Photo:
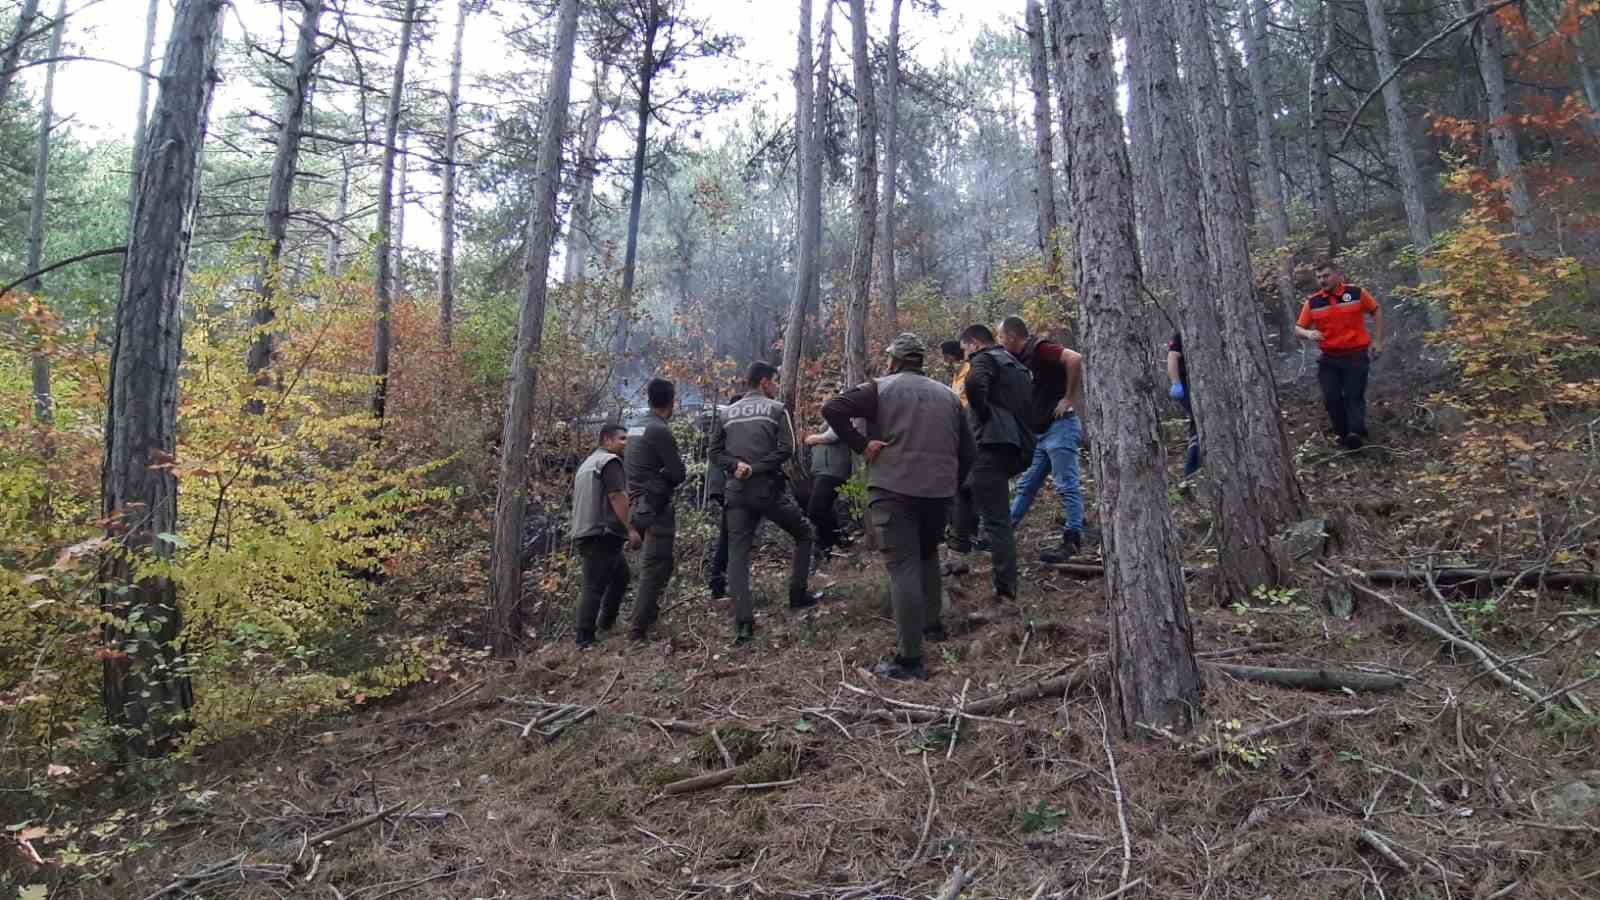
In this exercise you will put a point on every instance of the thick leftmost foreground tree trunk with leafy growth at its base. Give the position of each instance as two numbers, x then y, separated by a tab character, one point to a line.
145	683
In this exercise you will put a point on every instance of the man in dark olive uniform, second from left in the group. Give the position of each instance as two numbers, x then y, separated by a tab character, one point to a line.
655	470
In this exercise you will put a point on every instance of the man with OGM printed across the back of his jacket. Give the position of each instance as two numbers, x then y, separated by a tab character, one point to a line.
751	444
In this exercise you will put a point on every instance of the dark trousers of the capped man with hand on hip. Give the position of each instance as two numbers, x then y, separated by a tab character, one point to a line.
908	532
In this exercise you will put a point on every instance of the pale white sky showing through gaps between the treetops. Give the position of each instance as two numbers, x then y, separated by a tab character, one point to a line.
98	102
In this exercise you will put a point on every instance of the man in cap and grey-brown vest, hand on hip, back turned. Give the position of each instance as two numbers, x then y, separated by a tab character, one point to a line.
919	451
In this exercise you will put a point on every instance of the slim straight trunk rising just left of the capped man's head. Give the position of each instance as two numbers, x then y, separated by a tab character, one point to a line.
866	201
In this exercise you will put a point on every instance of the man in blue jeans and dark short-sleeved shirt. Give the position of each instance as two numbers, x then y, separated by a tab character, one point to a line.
1058	395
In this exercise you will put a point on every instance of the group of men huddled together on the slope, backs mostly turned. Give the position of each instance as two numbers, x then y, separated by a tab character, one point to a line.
929	448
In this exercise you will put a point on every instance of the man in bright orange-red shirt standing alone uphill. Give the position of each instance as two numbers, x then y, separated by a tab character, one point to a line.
1337	319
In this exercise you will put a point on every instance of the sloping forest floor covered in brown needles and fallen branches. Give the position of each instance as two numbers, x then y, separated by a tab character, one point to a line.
1449	787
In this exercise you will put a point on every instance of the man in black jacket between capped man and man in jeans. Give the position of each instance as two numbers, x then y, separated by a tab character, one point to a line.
999	400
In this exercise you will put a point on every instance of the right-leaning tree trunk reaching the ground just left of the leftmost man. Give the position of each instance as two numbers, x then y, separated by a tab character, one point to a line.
513	496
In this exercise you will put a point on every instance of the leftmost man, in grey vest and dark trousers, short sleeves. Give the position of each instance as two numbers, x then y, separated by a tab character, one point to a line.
599	528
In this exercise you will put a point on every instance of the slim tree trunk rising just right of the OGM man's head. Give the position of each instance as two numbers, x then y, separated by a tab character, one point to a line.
810	209
